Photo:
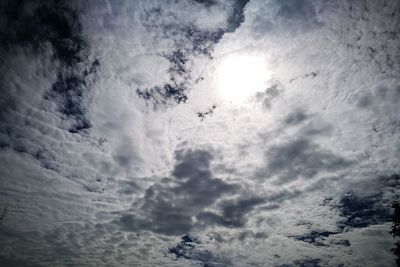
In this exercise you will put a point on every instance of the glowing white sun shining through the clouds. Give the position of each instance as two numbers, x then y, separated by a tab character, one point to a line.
240	76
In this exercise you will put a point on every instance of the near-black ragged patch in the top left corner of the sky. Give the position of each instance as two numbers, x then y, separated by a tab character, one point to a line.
53	25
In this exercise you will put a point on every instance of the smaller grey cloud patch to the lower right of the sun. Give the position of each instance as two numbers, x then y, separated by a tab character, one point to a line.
301	157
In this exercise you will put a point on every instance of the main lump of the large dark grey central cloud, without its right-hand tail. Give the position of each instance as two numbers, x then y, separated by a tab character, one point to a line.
170	206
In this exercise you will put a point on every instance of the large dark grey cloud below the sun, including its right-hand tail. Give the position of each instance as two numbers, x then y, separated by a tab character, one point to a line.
170	206
